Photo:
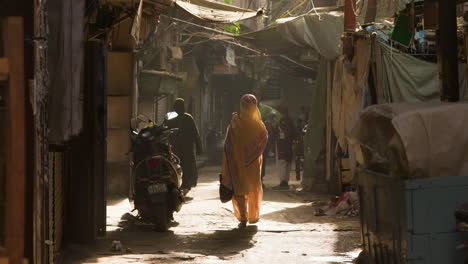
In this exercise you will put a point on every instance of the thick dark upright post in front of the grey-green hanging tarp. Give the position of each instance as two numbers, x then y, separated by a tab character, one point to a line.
448	53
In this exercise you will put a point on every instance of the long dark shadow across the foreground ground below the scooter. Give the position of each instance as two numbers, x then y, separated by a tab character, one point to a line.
221	243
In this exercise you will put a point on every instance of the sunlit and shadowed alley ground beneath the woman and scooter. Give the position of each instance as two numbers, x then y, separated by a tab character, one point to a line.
206	232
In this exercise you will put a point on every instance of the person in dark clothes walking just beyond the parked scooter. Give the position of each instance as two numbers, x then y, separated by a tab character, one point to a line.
185	144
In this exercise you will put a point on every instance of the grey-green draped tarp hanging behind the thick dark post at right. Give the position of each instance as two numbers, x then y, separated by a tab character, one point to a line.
404	78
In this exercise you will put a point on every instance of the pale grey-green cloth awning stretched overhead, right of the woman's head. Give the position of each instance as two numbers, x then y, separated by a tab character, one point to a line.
321	32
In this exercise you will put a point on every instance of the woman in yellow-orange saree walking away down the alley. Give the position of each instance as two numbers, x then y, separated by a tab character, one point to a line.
242	160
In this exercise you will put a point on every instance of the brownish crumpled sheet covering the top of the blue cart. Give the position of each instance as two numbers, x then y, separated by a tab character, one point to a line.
418	140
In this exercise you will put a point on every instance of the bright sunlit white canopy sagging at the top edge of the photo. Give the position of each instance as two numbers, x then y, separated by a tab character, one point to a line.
216	12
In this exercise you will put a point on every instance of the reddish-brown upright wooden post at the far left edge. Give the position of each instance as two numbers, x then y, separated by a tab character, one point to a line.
13	37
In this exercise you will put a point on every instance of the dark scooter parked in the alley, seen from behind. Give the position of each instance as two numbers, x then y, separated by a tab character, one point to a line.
156	175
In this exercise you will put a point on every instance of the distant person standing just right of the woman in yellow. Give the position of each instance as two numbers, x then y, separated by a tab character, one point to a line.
284	137
